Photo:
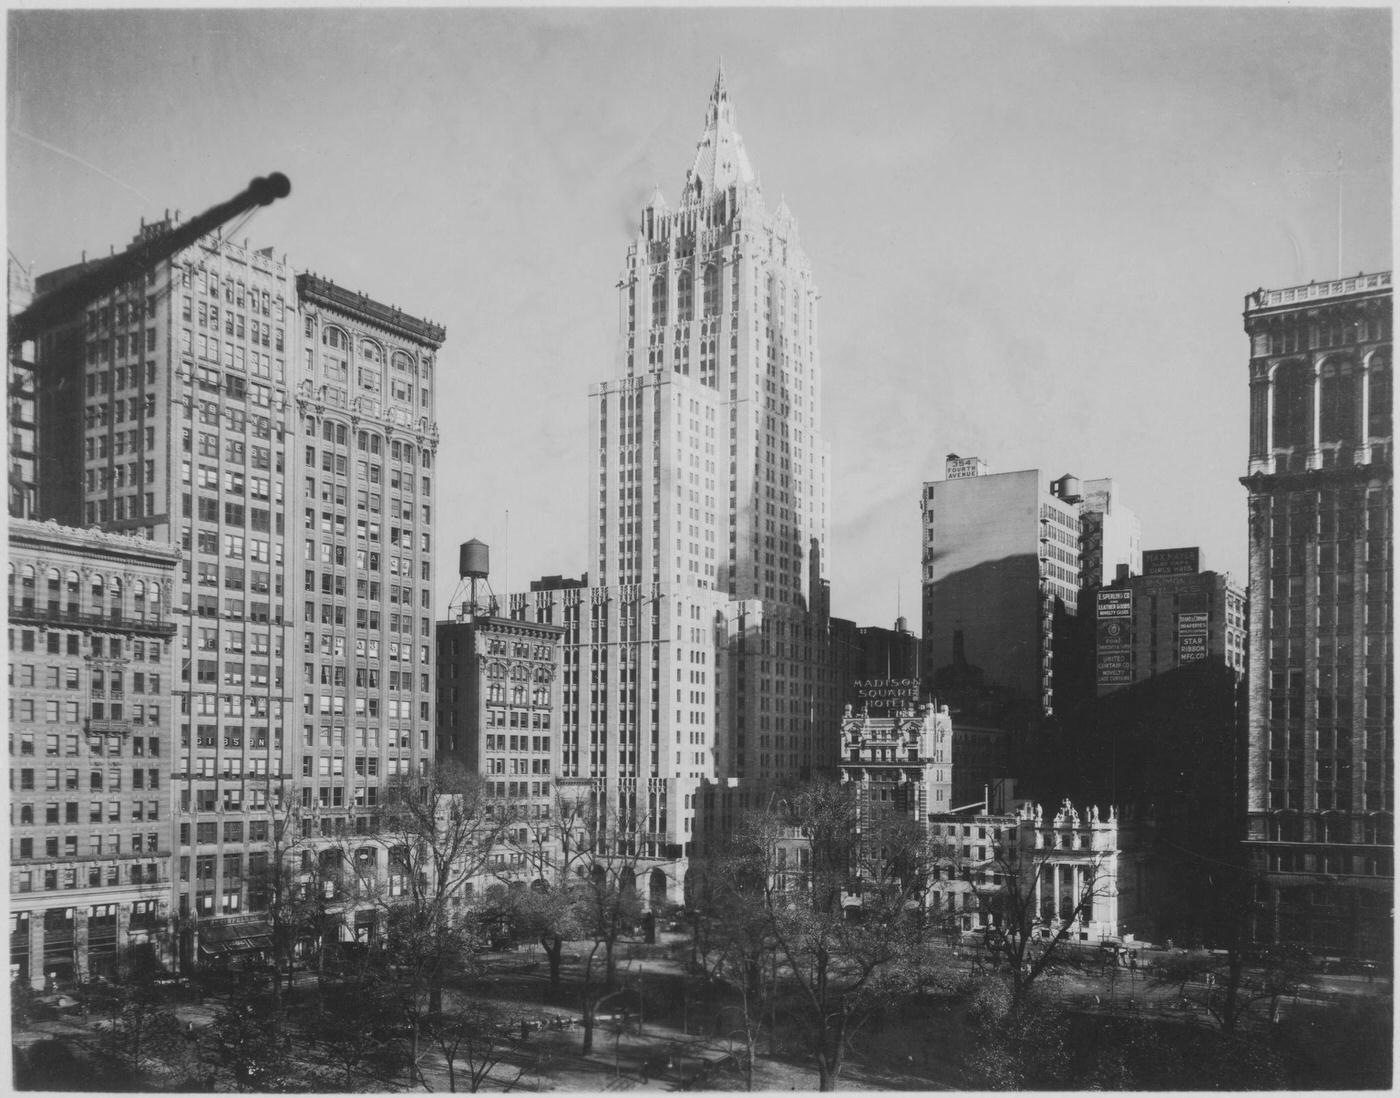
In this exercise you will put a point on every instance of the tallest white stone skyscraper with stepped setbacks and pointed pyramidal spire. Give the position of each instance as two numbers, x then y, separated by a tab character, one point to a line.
703	653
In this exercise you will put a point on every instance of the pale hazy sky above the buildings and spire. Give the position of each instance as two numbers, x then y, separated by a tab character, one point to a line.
1032	229
